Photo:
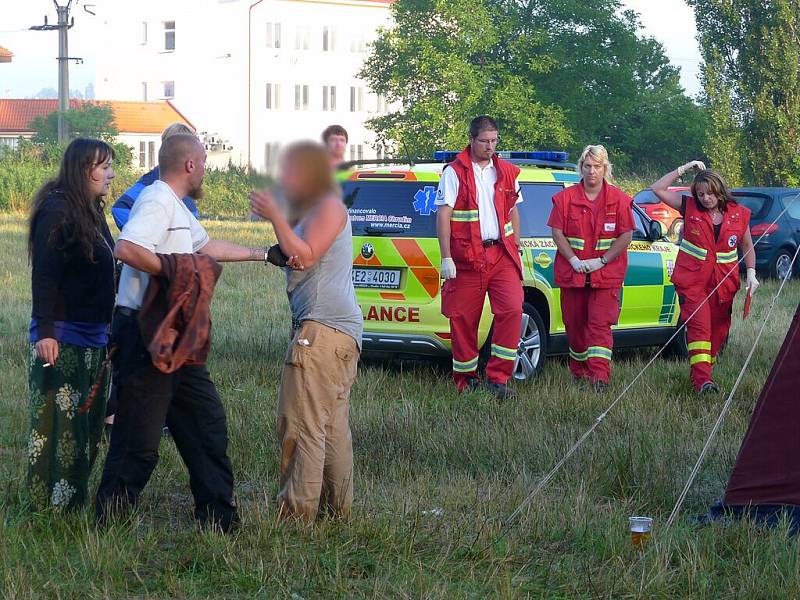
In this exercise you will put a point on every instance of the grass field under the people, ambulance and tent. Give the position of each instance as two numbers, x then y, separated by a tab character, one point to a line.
418	447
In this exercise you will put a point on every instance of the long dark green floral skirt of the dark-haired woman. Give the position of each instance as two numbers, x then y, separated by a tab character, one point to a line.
65	435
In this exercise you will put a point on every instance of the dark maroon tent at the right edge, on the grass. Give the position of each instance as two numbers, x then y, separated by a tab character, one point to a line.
765	482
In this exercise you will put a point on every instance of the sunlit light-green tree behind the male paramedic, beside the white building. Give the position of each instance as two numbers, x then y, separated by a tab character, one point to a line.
443	62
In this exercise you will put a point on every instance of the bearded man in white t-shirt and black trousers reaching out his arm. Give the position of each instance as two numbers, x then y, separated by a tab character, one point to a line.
186	400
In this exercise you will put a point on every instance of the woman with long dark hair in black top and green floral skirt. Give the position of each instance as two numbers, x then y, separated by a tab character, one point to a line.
71	253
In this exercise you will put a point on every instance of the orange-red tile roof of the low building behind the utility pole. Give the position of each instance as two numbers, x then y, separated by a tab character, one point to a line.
130	117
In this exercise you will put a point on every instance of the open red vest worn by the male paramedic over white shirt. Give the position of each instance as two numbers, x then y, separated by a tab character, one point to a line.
466	243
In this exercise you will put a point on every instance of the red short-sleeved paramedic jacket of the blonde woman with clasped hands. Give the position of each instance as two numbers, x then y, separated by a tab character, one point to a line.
590	234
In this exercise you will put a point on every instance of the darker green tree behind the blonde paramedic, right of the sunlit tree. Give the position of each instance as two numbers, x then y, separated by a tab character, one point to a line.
615	86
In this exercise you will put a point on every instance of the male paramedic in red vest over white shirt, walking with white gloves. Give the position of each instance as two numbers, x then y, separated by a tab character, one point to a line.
477	225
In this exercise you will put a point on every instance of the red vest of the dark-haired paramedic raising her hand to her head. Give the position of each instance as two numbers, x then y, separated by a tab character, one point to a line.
703	261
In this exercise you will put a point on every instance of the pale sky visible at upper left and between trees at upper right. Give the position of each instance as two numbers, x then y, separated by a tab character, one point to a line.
34	66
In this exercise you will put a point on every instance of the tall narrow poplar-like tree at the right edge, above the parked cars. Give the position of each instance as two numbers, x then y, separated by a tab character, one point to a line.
751	50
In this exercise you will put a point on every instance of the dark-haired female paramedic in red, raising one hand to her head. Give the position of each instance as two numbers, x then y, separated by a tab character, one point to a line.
714	228
